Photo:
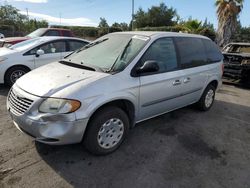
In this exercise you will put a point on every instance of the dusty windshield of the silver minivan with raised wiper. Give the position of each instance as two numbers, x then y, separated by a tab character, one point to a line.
113	51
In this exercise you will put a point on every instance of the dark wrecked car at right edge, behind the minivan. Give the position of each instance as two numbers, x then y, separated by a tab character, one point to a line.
237	61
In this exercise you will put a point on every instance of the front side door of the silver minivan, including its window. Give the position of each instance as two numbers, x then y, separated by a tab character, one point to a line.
161	92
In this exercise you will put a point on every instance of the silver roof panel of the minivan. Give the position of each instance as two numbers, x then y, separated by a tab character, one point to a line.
161	33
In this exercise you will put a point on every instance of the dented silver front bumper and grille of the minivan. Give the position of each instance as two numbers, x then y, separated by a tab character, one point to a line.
46	128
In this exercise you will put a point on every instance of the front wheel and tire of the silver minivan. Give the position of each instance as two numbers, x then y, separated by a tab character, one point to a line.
106	131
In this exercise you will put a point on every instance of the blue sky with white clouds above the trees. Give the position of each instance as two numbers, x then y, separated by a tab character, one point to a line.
88	12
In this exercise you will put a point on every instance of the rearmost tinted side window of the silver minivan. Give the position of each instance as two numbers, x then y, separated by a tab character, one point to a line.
213	52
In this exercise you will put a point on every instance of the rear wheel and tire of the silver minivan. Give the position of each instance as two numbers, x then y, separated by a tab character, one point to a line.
207	99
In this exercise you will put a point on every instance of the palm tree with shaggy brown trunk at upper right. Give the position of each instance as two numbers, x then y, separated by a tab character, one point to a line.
227	12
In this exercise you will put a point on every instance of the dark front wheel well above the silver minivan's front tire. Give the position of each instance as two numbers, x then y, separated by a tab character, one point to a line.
125	105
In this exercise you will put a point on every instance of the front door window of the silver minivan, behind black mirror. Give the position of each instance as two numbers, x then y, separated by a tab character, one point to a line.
163	52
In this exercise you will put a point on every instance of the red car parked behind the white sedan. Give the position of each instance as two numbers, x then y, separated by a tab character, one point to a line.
8	41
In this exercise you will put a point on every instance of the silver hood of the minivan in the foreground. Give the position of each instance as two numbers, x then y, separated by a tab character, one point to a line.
54	77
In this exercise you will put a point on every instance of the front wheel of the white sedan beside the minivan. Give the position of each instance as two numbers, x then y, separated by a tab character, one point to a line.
13	74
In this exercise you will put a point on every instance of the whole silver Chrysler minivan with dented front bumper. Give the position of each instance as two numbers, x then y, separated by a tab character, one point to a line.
98	93
